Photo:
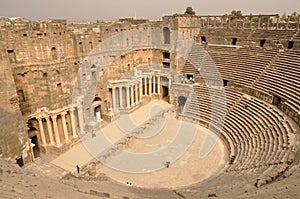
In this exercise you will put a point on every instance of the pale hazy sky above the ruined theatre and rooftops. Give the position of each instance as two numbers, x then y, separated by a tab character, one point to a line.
114	9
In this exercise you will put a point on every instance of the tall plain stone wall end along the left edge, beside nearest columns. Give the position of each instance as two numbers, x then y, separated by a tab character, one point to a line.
13	142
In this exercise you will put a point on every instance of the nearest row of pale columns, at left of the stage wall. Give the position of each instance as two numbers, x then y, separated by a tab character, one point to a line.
53	130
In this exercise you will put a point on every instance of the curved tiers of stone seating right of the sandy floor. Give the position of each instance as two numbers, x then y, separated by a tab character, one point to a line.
262	138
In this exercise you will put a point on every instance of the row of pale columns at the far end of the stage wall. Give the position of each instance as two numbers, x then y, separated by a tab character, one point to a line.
134	92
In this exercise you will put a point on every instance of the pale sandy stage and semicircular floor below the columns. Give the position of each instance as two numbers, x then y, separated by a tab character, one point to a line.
186	166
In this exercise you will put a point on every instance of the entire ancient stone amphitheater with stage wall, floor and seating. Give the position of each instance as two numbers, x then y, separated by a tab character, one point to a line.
212	106
